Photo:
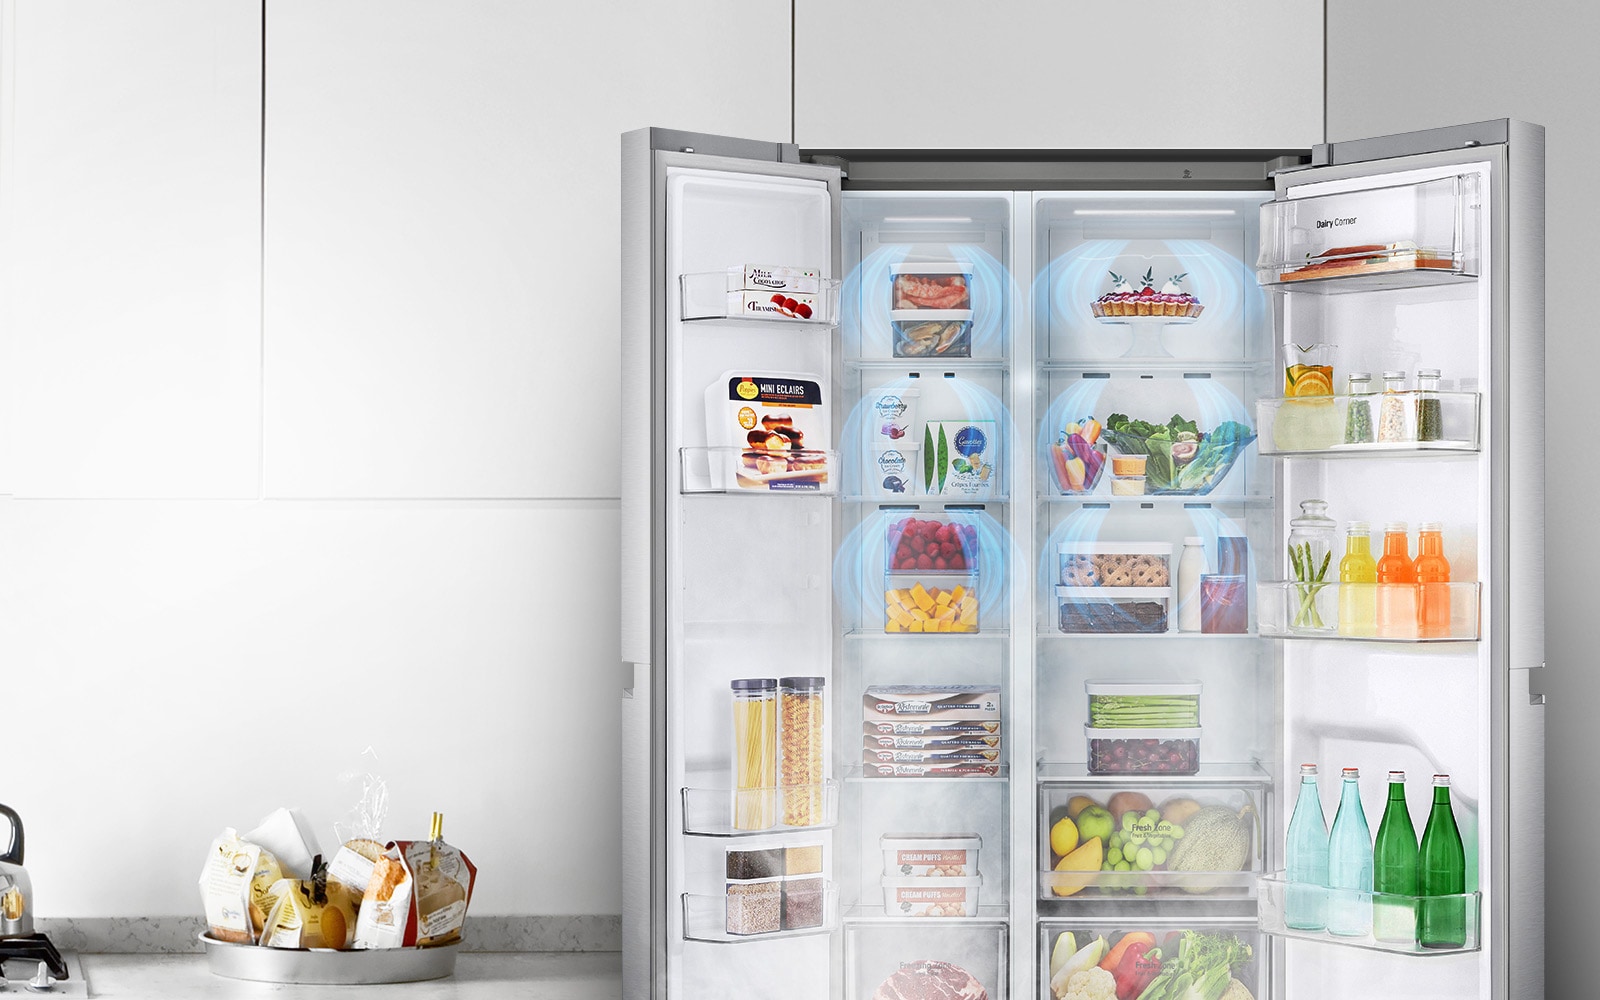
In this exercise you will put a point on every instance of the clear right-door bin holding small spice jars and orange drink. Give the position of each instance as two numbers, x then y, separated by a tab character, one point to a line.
1314	426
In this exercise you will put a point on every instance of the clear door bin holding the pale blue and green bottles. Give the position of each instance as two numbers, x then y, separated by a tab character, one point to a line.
1414	926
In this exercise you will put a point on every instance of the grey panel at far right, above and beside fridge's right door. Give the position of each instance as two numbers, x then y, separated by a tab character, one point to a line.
1489	60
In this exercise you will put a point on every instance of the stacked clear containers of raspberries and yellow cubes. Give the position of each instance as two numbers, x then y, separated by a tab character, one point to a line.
930	575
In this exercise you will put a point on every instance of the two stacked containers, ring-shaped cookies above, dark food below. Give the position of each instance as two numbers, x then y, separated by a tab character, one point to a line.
1114	586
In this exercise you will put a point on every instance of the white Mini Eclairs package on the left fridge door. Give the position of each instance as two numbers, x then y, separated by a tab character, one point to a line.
774	430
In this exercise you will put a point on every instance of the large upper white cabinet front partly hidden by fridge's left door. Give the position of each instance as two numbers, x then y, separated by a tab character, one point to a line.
442	230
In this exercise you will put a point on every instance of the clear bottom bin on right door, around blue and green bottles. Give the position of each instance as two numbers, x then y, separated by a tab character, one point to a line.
1458	913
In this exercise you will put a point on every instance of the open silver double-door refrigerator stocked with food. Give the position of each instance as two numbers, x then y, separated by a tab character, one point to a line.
970	631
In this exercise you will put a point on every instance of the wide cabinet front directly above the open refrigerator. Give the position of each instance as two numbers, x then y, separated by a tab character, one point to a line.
1042	74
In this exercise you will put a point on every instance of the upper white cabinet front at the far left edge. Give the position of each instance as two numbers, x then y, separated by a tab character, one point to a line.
130	249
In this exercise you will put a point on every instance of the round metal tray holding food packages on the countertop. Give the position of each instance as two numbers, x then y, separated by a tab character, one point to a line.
327	966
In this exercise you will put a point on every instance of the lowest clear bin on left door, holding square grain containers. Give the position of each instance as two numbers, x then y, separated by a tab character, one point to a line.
751	911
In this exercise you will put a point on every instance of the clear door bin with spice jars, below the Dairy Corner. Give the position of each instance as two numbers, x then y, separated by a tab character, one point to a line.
1342	426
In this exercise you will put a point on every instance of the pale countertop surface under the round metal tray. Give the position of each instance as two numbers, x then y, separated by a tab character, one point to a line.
479	977
